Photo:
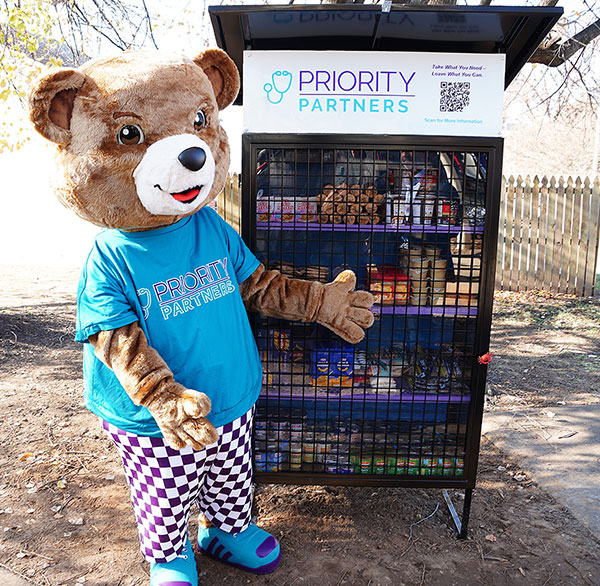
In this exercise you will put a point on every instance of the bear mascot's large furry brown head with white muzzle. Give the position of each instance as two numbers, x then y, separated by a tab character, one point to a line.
138	137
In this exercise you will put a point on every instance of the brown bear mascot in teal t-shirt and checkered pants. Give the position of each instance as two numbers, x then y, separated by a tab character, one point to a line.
172	373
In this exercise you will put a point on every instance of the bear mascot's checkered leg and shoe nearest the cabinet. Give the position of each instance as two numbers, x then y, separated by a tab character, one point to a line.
225	531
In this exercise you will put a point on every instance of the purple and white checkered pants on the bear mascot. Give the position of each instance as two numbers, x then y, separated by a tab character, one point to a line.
165	482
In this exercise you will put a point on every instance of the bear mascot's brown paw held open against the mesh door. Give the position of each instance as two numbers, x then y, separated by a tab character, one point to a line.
344	311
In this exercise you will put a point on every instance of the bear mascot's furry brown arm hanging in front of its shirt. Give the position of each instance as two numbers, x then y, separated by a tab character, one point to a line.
179	412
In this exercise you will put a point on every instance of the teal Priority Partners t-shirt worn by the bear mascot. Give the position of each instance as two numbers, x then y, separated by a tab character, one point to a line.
181	283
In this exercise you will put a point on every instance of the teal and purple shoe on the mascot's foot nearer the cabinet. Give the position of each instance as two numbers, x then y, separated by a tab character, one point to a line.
252	550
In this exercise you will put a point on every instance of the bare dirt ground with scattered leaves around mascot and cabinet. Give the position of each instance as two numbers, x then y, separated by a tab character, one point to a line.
65	517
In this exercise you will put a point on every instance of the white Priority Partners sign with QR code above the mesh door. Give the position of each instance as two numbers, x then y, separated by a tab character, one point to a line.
444	94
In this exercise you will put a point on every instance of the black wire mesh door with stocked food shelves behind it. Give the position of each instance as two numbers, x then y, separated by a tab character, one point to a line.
410	223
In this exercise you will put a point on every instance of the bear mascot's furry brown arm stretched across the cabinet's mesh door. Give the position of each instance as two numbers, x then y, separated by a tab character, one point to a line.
335	305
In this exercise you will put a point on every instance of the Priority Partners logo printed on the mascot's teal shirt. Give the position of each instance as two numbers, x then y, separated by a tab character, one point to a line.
182	293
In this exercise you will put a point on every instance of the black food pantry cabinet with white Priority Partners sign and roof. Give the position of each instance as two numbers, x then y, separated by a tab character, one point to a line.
373	162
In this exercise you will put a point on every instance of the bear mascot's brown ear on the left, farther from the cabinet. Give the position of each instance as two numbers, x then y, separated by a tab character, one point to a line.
51	103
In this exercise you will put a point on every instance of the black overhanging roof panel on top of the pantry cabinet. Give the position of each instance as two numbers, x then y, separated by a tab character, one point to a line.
515	31
